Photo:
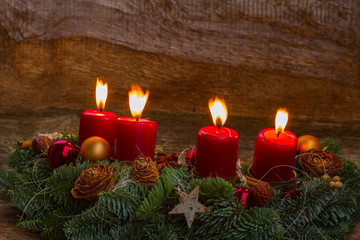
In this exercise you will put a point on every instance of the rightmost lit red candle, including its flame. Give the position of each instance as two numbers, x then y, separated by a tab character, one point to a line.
275	151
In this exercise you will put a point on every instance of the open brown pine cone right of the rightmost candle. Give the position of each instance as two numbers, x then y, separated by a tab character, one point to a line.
320	163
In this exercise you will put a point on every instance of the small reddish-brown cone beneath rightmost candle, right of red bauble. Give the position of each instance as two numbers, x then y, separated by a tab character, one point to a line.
260	194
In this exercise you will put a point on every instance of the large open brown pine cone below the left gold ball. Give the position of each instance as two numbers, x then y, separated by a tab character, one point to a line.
95	180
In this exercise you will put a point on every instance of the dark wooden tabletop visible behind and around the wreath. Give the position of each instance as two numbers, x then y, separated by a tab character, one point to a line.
176	132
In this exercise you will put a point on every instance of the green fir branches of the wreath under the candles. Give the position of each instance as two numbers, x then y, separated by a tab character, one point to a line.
132	211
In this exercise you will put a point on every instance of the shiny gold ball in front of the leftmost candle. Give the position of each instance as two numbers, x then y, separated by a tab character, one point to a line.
95	149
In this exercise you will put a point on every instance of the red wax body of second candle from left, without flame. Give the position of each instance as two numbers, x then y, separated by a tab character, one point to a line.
135	138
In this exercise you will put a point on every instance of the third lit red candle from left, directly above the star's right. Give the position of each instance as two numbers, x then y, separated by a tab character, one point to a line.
216	146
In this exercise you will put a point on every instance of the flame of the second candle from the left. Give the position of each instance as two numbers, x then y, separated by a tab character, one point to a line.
137	100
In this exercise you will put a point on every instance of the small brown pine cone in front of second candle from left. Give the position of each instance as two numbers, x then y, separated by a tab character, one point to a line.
144	171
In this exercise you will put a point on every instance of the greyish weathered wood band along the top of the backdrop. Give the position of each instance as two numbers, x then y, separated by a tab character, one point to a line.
304	37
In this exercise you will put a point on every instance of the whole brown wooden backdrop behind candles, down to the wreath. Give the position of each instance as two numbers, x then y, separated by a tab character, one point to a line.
258	55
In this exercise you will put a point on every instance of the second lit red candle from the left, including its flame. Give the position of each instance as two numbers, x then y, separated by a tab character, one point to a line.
135	136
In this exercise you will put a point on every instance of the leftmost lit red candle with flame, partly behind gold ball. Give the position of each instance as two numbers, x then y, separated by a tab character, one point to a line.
98	122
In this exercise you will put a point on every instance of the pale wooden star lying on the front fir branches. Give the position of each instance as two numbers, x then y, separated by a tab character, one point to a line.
189	205
